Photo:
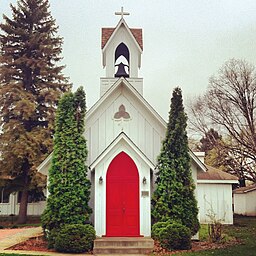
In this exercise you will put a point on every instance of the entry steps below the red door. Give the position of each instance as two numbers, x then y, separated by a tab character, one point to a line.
123	246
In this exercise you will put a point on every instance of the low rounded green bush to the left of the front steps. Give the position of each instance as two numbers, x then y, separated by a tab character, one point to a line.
75	238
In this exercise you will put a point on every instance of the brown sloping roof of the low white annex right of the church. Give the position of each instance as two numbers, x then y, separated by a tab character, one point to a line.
215	174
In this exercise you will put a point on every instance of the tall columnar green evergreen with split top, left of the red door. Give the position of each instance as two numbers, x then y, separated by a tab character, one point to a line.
69	186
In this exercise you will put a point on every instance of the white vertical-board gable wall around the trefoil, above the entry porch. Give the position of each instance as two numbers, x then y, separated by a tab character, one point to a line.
142	128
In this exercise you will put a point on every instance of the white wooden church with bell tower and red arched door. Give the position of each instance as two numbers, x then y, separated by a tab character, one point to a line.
124	135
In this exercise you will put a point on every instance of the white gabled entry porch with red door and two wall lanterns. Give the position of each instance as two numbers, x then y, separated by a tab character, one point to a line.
122	189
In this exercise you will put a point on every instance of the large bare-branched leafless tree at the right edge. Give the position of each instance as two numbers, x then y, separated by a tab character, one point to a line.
229	107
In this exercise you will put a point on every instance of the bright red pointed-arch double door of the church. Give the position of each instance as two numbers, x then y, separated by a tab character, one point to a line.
122	214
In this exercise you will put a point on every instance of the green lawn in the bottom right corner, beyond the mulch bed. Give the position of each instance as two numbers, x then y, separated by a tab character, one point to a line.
244	229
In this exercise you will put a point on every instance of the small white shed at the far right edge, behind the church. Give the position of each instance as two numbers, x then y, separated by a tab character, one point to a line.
245	200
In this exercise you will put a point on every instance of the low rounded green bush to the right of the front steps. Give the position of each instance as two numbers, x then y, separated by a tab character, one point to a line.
175	236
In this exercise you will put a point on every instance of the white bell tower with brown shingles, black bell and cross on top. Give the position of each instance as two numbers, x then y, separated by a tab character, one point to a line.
121	54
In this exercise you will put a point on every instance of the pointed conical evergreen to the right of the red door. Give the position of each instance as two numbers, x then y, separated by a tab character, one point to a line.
174	197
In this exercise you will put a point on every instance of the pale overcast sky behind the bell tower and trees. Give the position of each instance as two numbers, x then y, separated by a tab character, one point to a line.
185	42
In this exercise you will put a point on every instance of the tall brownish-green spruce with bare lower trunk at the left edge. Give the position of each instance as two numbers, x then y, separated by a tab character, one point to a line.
31	83
